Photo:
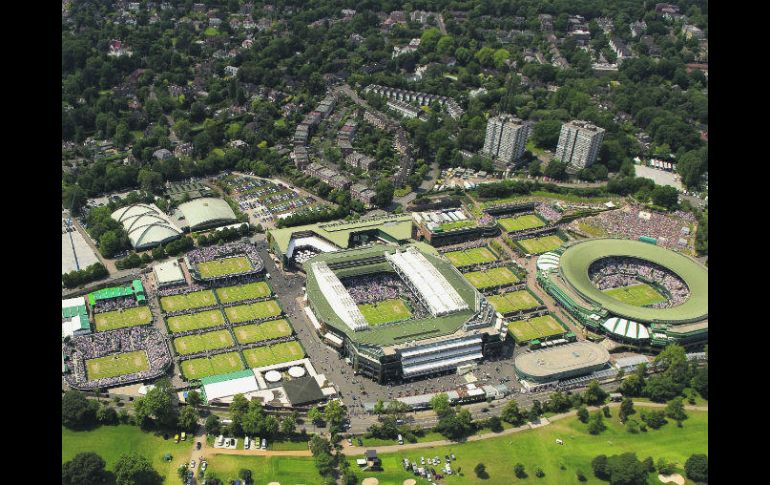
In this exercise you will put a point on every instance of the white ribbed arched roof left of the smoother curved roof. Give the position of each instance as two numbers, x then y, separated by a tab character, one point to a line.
146	225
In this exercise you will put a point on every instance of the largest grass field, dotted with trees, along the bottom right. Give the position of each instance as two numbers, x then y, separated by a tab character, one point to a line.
538	448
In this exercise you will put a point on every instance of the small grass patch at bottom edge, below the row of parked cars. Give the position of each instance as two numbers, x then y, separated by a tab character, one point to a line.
287	470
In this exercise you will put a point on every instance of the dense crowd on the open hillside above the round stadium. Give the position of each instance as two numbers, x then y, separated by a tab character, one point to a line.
631	223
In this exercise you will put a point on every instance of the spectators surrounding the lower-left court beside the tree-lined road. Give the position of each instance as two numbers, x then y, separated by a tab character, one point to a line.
81	348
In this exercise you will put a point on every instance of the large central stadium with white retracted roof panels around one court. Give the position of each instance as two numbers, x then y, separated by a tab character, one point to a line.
399	313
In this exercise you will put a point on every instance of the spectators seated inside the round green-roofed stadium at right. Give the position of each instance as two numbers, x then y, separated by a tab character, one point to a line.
618	272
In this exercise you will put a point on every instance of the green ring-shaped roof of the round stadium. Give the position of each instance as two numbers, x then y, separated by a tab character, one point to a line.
577	258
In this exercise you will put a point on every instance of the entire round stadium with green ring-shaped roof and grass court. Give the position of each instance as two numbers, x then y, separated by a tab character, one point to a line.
633	291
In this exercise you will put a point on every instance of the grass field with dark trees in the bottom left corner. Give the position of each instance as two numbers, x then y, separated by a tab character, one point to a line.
110	442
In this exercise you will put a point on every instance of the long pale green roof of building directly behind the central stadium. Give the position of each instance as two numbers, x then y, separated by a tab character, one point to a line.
393	227
